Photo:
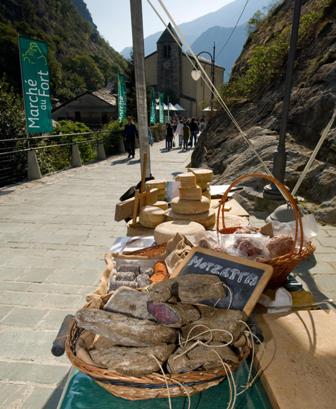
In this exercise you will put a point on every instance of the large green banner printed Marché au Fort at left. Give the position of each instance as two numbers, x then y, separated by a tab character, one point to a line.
35	84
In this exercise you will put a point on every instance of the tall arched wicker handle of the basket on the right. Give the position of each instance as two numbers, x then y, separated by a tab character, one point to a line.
286	193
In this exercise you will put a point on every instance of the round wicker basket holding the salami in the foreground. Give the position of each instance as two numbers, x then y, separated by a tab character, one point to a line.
149	386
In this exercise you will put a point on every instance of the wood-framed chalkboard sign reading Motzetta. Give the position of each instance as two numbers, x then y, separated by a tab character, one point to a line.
245	278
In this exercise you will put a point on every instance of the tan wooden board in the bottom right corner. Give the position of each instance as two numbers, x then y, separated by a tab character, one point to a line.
301	359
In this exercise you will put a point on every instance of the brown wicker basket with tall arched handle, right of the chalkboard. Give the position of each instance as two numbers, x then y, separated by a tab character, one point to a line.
282	265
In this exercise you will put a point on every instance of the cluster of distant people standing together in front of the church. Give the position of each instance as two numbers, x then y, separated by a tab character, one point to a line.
186	132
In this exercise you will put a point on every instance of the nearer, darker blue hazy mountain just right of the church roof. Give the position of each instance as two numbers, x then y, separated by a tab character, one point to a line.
219	35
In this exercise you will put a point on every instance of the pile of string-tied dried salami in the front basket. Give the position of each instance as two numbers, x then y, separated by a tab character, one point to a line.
170	326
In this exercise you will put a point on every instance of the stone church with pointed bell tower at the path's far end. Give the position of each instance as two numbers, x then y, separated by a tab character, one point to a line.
168	70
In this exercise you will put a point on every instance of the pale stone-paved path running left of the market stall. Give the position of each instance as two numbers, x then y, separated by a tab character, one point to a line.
53	236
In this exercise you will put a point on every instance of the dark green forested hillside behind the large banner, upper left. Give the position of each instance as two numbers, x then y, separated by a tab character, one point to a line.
79	58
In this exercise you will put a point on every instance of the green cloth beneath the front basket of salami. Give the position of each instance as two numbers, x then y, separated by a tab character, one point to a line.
83	393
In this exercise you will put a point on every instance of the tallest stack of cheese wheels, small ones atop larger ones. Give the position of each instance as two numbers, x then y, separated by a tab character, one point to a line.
191	205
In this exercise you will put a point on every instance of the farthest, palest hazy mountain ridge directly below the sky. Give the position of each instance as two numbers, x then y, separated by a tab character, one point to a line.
224	17
